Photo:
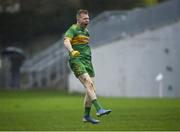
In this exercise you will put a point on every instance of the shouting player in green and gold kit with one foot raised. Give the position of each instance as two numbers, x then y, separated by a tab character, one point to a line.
76	41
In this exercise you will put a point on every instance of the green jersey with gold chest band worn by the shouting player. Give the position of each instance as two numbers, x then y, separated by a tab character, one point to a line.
79	38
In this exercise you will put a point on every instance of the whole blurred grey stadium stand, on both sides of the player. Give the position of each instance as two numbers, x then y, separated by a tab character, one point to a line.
49	67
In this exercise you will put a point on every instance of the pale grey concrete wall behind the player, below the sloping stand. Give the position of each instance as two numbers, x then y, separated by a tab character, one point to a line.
129	67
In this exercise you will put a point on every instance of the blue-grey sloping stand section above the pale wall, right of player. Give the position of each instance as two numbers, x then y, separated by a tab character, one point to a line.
113	25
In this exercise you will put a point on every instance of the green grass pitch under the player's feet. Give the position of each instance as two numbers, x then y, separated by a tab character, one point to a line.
52	110
